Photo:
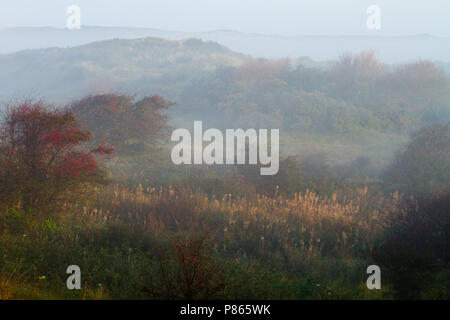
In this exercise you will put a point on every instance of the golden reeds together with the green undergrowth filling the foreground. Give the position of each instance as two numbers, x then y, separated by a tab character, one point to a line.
135	243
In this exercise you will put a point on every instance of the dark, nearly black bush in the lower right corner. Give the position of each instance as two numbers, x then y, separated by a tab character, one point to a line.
414	249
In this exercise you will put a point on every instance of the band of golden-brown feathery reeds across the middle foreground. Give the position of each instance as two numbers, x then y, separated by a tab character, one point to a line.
283	229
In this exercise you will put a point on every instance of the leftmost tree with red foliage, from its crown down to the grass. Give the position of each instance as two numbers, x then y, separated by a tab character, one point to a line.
43	157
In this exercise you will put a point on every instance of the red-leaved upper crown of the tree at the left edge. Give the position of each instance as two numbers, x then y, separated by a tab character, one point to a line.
38	140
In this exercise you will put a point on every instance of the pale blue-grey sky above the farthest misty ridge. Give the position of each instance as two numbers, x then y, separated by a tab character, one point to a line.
280	17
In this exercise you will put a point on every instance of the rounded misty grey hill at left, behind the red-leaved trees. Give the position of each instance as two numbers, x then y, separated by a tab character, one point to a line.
143	65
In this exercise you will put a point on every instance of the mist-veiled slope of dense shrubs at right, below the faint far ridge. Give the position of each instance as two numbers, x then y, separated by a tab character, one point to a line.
357	93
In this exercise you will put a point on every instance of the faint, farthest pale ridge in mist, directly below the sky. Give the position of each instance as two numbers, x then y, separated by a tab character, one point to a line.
389	49
